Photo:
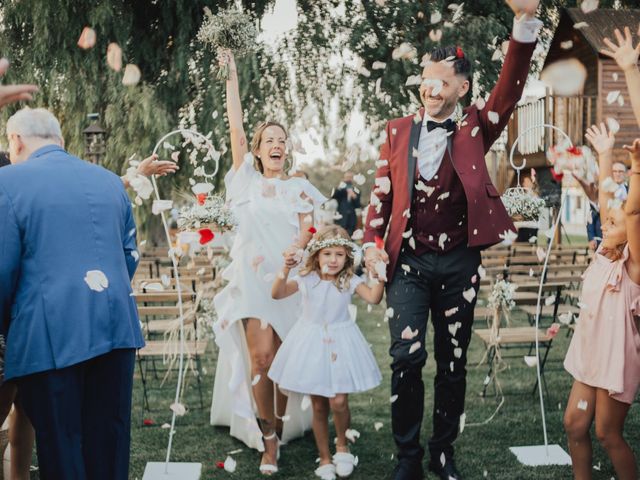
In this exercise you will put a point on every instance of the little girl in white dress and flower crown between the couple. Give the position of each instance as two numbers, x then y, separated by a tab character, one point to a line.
325	355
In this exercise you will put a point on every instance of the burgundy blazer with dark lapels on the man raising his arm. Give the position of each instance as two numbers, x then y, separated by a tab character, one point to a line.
486	216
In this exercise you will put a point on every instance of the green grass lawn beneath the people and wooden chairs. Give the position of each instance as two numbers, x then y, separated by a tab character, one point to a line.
478	449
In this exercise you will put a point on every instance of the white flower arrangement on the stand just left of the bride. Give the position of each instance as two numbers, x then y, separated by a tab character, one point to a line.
210	211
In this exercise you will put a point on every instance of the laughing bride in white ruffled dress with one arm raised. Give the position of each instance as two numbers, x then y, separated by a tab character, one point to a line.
273	212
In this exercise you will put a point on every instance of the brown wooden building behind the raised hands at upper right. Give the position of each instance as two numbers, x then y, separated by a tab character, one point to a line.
575	114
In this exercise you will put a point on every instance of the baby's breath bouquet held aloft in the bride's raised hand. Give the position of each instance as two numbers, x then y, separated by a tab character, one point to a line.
229	29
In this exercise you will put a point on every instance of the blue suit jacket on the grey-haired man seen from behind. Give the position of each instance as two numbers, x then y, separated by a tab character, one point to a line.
61	217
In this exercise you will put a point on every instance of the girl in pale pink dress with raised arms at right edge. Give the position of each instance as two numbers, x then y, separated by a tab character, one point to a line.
604	355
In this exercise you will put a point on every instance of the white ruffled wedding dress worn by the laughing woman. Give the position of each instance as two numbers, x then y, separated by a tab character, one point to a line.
267	211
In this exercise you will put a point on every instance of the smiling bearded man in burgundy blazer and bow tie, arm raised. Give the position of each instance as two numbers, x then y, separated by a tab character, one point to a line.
440	208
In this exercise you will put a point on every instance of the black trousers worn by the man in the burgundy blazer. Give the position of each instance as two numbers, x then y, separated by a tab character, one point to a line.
433	283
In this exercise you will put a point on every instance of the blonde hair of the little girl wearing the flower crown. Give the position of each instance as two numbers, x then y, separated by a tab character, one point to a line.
324	236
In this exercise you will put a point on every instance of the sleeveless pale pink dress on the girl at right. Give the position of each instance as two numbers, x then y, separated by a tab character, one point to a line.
605	349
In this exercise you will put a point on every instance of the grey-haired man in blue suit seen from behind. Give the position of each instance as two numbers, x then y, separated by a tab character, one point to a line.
67	256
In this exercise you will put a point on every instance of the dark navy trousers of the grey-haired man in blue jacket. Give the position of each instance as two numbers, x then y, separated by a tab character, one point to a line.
82	417
